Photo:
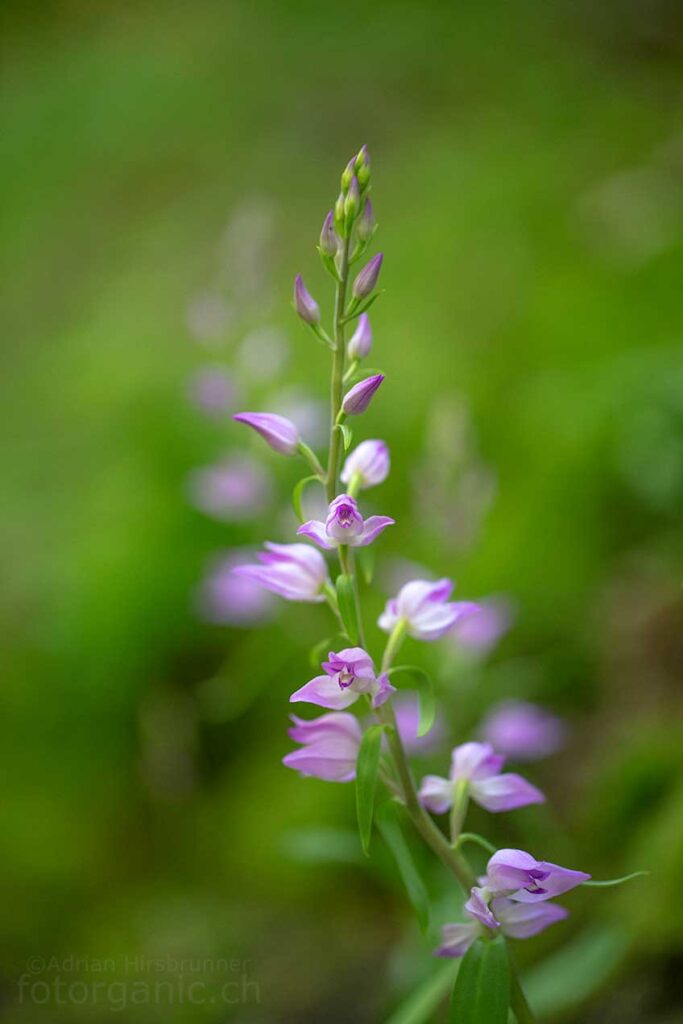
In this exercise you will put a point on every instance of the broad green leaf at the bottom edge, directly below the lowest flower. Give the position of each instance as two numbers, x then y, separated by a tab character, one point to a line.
482	993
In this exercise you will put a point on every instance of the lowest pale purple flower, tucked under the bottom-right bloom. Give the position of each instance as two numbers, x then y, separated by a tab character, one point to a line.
518	921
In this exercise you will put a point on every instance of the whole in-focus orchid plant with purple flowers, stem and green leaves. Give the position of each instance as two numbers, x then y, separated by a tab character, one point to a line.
515	899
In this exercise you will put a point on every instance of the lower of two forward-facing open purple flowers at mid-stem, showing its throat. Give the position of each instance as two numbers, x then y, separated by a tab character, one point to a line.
349	674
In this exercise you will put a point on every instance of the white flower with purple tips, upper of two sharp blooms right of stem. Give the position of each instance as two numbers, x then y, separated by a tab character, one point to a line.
423	606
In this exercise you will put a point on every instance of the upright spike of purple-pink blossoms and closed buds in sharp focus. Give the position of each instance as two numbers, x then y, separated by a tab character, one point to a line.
515	897
